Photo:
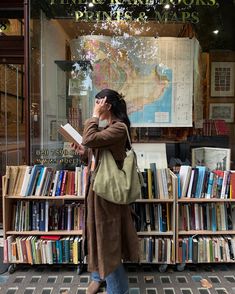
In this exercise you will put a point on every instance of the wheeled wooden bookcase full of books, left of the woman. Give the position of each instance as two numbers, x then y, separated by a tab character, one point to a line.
42	229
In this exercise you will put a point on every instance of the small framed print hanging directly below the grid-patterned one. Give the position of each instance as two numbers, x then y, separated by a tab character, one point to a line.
223	111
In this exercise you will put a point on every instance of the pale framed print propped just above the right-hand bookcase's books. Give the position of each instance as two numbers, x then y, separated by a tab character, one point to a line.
213	158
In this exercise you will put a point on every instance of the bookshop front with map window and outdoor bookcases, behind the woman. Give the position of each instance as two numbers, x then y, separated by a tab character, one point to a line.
174	63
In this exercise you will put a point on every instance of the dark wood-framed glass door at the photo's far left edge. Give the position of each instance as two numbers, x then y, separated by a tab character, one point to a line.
12	118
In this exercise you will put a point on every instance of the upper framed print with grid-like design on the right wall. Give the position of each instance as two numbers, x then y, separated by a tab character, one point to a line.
222	79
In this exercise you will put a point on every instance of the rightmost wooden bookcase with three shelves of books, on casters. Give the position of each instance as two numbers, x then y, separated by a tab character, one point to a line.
205	228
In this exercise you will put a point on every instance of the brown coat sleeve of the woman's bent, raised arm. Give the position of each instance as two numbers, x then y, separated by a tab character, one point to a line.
95	138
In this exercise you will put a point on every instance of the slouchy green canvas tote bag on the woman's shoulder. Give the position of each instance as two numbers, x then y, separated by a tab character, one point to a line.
120	186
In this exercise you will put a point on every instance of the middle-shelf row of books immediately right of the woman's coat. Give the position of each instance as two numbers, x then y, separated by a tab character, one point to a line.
153	217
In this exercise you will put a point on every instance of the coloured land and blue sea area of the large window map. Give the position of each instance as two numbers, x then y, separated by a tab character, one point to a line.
133	67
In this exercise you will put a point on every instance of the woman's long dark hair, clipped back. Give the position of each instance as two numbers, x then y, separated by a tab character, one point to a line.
118	106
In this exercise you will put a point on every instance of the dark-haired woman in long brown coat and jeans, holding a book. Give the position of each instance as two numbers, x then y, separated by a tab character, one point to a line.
109	230
